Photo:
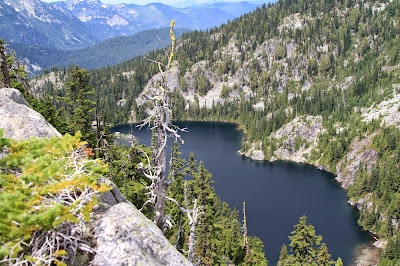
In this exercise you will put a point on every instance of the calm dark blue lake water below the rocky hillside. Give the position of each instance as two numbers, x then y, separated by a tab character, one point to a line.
276	194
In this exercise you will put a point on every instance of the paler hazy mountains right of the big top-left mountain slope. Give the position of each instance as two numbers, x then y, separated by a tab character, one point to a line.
108	20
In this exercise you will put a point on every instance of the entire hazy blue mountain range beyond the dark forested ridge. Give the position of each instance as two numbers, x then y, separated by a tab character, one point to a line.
75	24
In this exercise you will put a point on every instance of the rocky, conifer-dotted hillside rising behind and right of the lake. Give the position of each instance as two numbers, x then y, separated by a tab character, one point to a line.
327	66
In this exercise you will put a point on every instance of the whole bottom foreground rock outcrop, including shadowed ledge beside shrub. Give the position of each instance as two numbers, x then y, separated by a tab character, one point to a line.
122	235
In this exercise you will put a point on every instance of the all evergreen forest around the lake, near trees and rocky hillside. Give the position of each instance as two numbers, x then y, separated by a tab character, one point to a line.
331	67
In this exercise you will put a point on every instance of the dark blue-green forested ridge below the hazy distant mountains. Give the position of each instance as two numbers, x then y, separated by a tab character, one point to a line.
107	53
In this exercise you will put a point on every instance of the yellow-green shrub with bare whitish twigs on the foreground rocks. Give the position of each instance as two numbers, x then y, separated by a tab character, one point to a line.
45	184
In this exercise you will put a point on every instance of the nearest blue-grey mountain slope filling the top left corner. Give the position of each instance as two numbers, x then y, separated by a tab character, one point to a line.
37	23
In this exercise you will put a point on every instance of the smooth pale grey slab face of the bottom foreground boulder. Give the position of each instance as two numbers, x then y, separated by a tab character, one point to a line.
126	237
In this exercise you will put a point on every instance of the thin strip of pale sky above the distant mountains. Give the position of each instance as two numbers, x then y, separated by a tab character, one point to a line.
177	3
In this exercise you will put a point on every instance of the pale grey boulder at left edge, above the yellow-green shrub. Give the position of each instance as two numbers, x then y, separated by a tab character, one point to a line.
19	121
